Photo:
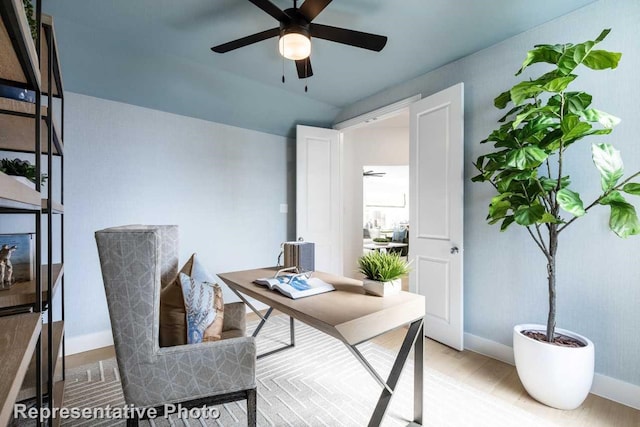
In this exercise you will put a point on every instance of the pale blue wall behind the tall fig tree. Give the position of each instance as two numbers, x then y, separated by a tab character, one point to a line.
598	274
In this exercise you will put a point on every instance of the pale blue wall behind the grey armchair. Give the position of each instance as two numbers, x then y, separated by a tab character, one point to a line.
128	165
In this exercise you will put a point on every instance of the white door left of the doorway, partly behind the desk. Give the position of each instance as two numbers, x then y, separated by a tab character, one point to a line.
318	194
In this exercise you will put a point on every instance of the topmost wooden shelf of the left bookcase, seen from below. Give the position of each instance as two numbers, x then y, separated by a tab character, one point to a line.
18	57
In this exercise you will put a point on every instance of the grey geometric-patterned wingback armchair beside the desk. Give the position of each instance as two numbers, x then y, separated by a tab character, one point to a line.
137	261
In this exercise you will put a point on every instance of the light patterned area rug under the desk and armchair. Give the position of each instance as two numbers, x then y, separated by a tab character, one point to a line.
316	383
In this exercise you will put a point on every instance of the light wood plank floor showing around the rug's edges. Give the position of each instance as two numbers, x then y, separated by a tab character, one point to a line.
491	376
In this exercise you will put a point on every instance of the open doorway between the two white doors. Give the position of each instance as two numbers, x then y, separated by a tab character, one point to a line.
380	146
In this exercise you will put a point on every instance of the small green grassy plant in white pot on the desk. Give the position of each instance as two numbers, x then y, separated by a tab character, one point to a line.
383	272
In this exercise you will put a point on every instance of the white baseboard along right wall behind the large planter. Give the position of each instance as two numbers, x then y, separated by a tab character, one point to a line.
603	386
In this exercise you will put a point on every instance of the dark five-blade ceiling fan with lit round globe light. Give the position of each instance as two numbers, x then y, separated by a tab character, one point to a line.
296	30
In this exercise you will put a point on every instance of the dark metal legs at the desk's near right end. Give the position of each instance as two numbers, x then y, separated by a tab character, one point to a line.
414	334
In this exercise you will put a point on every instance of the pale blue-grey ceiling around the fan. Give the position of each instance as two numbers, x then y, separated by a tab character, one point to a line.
156	53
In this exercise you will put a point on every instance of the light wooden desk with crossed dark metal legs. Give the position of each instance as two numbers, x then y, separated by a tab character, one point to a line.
352	317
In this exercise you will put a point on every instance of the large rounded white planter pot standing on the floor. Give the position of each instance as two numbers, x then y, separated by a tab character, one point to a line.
559	377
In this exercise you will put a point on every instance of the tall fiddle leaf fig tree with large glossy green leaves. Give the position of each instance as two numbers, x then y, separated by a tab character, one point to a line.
531	145
